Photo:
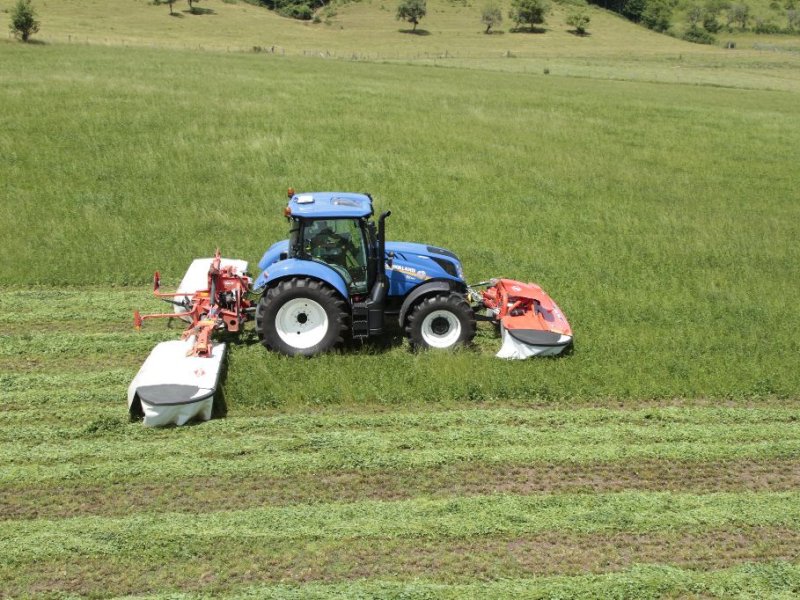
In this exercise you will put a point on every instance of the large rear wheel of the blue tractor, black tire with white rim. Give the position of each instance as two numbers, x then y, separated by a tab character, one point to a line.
301	294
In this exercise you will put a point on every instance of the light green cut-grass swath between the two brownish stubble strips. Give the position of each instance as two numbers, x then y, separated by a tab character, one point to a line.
159	537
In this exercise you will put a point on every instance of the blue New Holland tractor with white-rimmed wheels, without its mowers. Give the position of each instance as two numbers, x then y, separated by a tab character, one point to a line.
337	275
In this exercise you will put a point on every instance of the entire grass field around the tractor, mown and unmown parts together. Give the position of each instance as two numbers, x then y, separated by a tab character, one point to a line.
653	196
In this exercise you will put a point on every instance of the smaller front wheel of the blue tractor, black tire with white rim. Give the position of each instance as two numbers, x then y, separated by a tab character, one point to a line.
440	322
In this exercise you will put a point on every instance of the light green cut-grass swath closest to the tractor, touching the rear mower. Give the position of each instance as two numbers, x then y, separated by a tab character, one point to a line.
105	449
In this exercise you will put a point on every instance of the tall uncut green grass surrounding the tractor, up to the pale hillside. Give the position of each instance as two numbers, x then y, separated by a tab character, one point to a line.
662	218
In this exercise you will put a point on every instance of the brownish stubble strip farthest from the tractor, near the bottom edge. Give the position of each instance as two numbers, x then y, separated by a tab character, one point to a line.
222	565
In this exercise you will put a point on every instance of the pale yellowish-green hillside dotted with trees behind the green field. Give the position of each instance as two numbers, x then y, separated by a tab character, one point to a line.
452	37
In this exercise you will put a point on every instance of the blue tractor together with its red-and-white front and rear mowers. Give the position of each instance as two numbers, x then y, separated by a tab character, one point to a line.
335	277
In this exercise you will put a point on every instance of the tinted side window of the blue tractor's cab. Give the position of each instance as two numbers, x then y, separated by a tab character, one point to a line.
339	243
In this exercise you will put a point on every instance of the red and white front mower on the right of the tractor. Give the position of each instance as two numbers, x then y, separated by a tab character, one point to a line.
531	324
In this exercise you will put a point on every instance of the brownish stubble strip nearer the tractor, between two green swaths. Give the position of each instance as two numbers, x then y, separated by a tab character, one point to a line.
209	494
